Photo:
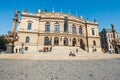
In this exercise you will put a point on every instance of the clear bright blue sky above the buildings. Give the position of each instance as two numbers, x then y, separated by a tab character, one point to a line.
106	12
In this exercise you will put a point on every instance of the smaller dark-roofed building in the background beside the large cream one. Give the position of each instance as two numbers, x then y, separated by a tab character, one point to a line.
107	39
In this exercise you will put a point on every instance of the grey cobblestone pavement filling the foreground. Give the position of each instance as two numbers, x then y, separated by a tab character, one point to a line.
103	69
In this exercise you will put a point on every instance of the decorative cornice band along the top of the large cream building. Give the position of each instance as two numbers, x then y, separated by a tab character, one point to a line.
70	17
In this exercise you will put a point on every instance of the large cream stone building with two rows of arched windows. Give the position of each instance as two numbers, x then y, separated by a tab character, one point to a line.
50	29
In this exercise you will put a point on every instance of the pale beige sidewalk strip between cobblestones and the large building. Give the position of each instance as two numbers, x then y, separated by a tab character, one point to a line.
50	56
